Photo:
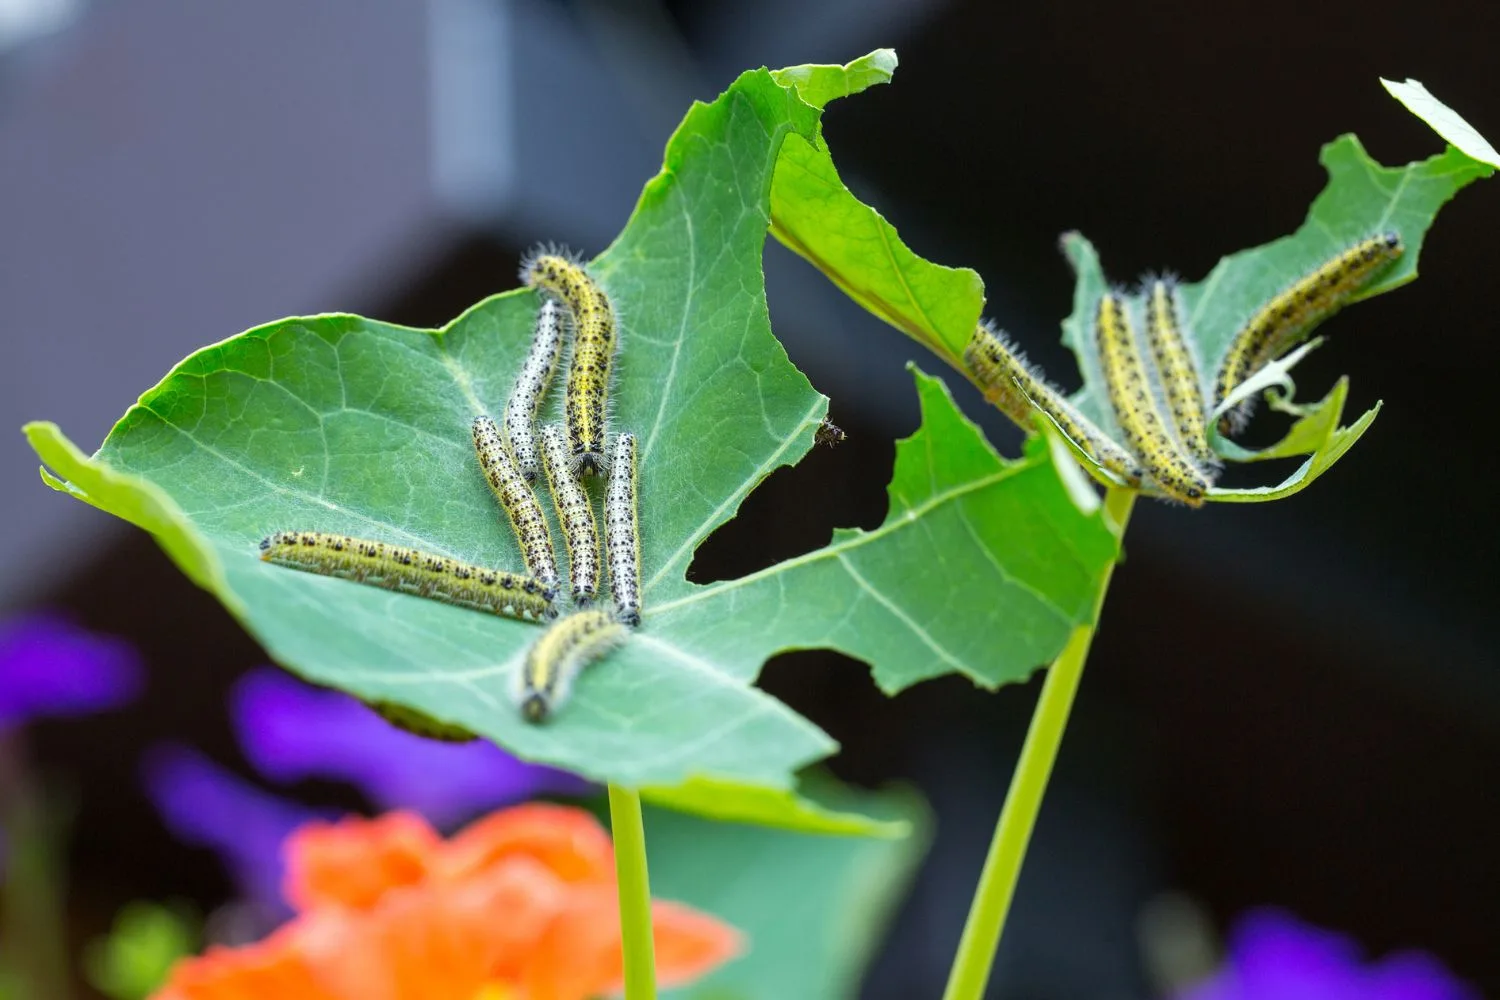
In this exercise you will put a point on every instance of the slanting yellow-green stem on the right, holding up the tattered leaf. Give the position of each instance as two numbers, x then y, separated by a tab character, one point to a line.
1003	867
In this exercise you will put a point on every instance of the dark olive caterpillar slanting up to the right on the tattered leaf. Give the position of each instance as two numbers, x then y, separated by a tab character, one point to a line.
1292	314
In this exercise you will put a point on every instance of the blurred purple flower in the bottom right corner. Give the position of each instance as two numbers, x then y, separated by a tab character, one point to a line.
1276	957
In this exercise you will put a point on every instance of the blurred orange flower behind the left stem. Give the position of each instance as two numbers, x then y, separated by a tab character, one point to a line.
520	906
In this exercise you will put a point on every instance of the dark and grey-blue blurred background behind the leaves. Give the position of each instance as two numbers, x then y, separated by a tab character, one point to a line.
1291	704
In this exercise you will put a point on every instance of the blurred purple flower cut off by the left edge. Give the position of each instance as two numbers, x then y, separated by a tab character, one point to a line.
52	668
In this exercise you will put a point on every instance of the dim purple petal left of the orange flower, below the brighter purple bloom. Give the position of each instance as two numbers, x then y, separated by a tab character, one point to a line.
209	807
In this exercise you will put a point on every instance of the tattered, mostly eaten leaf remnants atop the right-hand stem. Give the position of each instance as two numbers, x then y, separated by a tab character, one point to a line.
820	218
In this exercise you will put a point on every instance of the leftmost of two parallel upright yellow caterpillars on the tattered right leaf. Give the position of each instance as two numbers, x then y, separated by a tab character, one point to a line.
1136	407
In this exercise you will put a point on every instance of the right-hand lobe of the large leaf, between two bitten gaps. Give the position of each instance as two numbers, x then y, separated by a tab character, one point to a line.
973	549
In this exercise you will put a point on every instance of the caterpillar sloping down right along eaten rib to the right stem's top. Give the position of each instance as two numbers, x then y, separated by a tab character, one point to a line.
1012	386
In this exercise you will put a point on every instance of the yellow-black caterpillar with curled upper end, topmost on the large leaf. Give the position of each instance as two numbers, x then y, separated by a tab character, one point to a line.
595	338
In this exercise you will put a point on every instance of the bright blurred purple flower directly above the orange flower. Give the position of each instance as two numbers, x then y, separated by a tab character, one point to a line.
293	731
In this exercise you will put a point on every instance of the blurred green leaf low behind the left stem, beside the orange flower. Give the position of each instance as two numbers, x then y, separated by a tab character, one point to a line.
814	908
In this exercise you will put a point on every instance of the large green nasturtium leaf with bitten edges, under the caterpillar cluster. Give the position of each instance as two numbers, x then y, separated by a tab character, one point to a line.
349	425
